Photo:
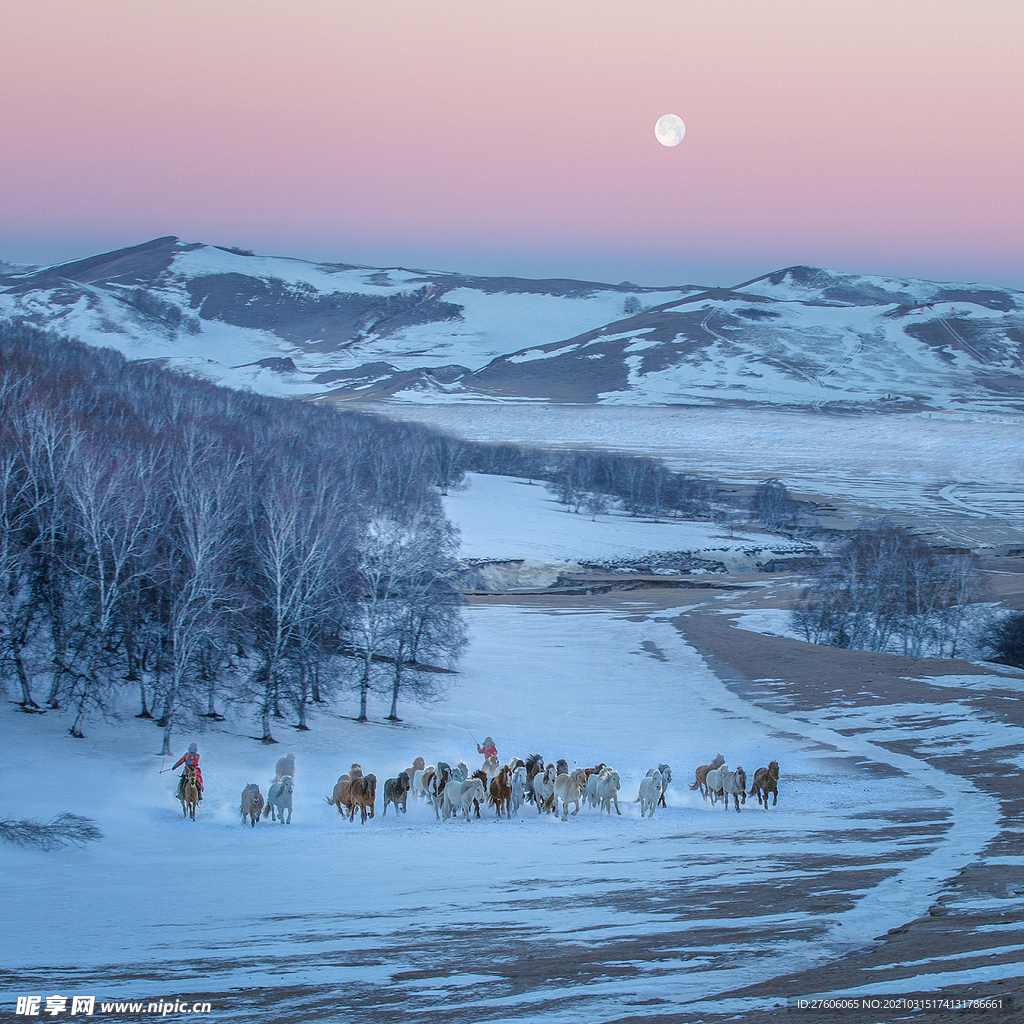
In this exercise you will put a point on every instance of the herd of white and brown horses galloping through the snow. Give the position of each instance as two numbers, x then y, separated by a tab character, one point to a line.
550	787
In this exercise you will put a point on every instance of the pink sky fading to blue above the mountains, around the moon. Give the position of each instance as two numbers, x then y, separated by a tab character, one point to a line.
517	137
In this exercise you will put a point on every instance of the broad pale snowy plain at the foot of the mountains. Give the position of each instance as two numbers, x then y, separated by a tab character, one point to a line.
960	475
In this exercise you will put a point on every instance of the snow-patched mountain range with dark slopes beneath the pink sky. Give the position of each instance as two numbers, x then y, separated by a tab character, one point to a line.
796	337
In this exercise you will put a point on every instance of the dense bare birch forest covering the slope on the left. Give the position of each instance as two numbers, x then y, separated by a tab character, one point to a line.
205	546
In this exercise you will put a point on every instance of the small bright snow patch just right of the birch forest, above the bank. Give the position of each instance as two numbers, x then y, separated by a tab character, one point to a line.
500	518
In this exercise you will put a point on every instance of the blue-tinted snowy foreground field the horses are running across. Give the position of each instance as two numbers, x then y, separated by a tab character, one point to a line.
526	920
